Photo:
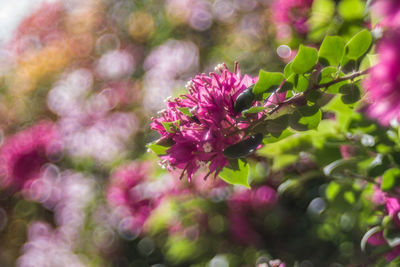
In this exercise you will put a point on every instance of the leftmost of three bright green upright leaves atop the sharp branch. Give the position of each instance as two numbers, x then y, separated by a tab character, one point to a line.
305	60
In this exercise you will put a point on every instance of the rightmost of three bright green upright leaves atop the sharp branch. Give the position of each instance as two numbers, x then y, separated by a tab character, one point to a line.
358	45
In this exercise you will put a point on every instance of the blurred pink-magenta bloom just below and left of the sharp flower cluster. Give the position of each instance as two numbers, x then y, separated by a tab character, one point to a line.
134	196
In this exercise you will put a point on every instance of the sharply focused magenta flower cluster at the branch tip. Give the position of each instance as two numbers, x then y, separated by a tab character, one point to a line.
203	122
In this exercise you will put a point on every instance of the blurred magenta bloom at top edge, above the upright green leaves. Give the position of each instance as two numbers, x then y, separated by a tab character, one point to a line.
292	13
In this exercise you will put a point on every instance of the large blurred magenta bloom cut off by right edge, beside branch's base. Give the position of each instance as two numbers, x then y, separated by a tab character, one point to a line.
383	83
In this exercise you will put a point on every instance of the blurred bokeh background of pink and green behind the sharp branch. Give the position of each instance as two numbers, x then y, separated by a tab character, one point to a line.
79	82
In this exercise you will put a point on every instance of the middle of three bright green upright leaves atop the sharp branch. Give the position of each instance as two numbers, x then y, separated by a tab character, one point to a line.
331	50
